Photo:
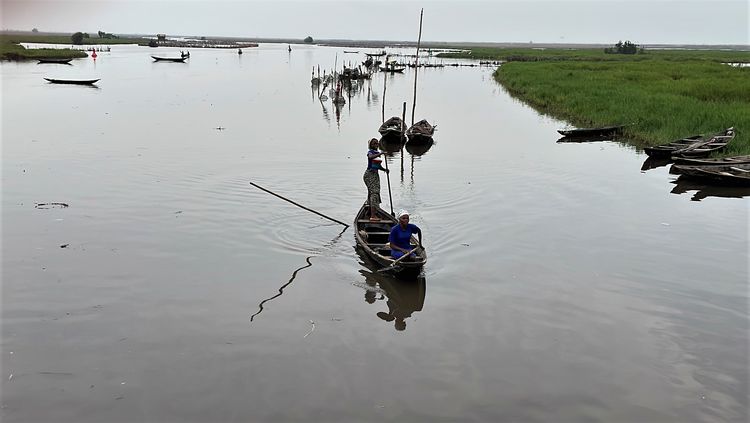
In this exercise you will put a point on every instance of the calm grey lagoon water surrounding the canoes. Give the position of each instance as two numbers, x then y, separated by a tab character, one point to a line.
563	283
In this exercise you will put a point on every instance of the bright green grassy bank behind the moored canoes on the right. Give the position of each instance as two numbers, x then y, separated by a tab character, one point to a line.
665	99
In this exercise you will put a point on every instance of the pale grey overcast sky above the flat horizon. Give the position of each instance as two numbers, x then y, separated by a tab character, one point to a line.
539	21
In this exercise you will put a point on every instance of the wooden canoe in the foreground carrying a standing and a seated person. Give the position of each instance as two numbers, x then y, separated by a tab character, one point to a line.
372	238
